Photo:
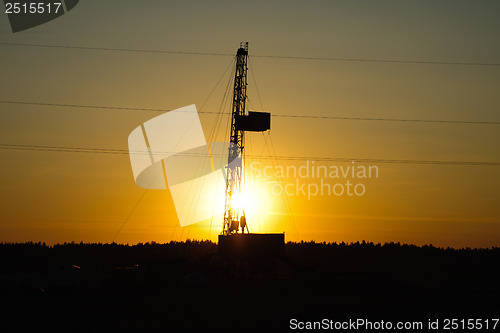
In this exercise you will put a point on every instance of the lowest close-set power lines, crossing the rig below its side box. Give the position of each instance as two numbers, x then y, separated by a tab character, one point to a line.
268	157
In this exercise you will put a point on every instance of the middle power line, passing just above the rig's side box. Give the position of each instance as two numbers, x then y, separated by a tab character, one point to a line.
471	122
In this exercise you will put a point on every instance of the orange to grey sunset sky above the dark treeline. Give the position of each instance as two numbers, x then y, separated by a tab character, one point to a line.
61	197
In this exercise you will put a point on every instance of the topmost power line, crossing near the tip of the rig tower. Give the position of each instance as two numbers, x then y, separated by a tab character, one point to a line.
395	61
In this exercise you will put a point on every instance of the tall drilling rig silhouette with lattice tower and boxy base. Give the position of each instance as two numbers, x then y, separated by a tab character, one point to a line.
235	240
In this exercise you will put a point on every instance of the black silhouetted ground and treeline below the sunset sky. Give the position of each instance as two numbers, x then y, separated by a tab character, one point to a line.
188	287
